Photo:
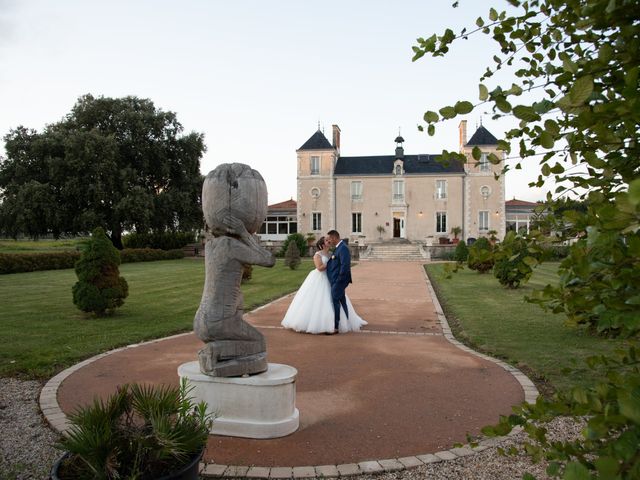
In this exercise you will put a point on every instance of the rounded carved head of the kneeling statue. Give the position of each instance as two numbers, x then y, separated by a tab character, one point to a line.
234	189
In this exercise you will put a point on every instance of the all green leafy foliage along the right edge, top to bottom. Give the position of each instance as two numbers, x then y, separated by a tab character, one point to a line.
576	102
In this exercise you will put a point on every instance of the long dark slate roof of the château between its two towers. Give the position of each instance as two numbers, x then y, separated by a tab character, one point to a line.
383	165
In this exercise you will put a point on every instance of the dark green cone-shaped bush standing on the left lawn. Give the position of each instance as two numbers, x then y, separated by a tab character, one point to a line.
100	287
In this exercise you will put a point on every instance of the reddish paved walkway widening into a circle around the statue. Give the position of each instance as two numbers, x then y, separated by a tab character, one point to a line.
399	389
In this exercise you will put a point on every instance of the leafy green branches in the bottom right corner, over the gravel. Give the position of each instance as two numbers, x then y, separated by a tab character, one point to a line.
608	446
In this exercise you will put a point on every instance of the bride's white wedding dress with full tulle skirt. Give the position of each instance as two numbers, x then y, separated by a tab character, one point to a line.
311	310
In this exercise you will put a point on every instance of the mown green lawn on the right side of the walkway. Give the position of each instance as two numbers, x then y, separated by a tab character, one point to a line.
499	322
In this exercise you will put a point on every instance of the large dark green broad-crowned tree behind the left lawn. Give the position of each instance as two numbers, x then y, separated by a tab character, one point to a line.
120	163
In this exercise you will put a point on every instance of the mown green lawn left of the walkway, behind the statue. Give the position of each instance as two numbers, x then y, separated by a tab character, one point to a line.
42	332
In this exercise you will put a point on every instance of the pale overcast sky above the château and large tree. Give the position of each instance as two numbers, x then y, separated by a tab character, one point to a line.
254	76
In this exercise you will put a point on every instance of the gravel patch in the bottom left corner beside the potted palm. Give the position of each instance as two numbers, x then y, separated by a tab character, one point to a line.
26	450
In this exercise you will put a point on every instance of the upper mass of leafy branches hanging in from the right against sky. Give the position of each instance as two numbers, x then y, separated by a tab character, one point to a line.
575	101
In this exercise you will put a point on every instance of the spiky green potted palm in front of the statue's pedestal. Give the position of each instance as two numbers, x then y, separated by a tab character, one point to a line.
140	432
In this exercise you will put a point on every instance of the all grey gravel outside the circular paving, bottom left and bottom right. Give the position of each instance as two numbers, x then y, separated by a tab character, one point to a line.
26	450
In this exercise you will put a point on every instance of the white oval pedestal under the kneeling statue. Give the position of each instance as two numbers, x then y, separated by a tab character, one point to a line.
259	406
